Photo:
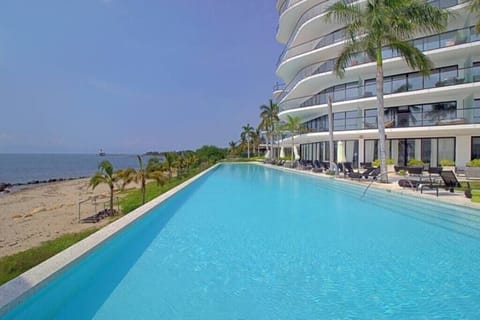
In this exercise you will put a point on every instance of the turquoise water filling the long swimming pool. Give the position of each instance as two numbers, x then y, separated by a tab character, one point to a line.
248	242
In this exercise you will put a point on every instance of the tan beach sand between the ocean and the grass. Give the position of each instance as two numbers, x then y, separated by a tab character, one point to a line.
31	216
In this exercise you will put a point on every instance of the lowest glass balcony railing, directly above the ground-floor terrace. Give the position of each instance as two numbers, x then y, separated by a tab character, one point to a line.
405	120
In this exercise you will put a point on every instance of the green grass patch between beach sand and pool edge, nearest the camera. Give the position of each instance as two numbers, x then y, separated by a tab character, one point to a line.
15	264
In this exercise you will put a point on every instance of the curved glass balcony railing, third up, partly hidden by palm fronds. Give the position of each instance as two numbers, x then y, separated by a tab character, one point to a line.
425	44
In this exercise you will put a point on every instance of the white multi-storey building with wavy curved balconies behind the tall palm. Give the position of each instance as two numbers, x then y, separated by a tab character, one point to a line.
428	118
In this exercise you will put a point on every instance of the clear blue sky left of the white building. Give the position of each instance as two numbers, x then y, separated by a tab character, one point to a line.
132	75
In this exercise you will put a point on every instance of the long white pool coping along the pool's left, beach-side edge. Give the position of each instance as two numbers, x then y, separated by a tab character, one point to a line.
17	289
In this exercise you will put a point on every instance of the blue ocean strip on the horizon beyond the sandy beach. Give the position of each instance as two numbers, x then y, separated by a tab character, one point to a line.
24	168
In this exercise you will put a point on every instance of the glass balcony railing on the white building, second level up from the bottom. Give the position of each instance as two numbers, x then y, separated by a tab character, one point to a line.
414	81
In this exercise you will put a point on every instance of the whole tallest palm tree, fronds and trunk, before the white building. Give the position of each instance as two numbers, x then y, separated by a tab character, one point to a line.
385	23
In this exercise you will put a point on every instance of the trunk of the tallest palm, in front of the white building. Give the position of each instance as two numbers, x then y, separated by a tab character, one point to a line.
381	117
